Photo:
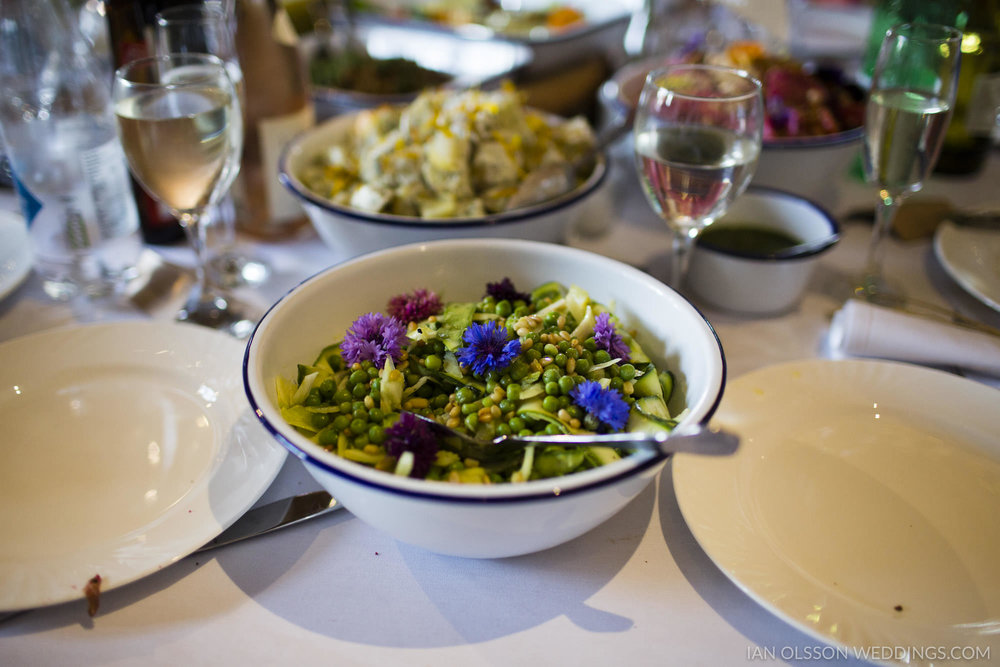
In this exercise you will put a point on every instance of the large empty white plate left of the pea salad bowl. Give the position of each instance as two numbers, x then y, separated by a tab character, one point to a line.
124	448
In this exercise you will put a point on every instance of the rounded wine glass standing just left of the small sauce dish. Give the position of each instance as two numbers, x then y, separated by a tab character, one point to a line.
698	131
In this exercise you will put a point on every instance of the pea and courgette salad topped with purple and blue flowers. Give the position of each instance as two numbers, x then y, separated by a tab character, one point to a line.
546	362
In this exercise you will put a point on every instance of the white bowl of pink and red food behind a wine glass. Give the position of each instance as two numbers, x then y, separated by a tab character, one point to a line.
815	115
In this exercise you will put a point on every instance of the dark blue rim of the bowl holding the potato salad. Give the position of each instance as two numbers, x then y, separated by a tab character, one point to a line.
528	213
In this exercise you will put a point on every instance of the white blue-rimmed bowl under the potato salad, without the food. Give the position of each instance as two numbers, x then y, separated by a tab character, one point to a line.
351	232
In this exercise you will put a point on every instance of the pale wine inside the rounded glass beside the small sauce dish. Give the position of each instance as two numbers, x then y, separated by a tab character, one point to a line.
692	173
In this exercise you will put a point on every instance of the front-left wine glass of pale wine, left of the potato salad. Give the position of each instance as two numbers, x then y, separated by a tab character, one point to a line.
179	120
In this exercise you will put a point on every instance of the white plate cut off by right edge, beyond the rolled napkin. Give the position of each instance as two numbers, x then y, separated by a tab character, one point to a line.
972	258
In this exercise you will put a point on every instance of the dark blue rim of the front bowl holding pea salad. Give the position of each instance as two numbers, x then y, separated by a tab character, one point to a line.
642	463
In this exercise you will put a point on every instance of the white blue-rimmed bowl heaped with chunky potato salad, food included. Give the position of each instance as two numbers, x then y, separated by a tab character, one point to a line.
451	164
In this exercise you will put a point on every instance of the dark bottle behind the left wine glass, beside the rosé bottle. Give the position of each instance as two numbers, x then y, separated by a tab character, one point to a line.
127	32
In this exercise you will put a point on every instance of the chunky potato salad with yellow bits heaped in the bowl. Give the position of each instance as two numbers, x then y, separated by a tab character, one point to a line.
448	154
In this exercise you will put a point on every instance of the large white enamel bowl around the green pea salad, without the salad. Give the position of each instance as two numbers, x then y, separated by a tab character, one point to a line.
475	520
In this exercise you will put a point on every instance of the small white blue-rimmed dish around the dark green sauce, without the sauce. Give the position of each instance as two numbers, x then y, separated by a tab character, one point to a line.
758	283
